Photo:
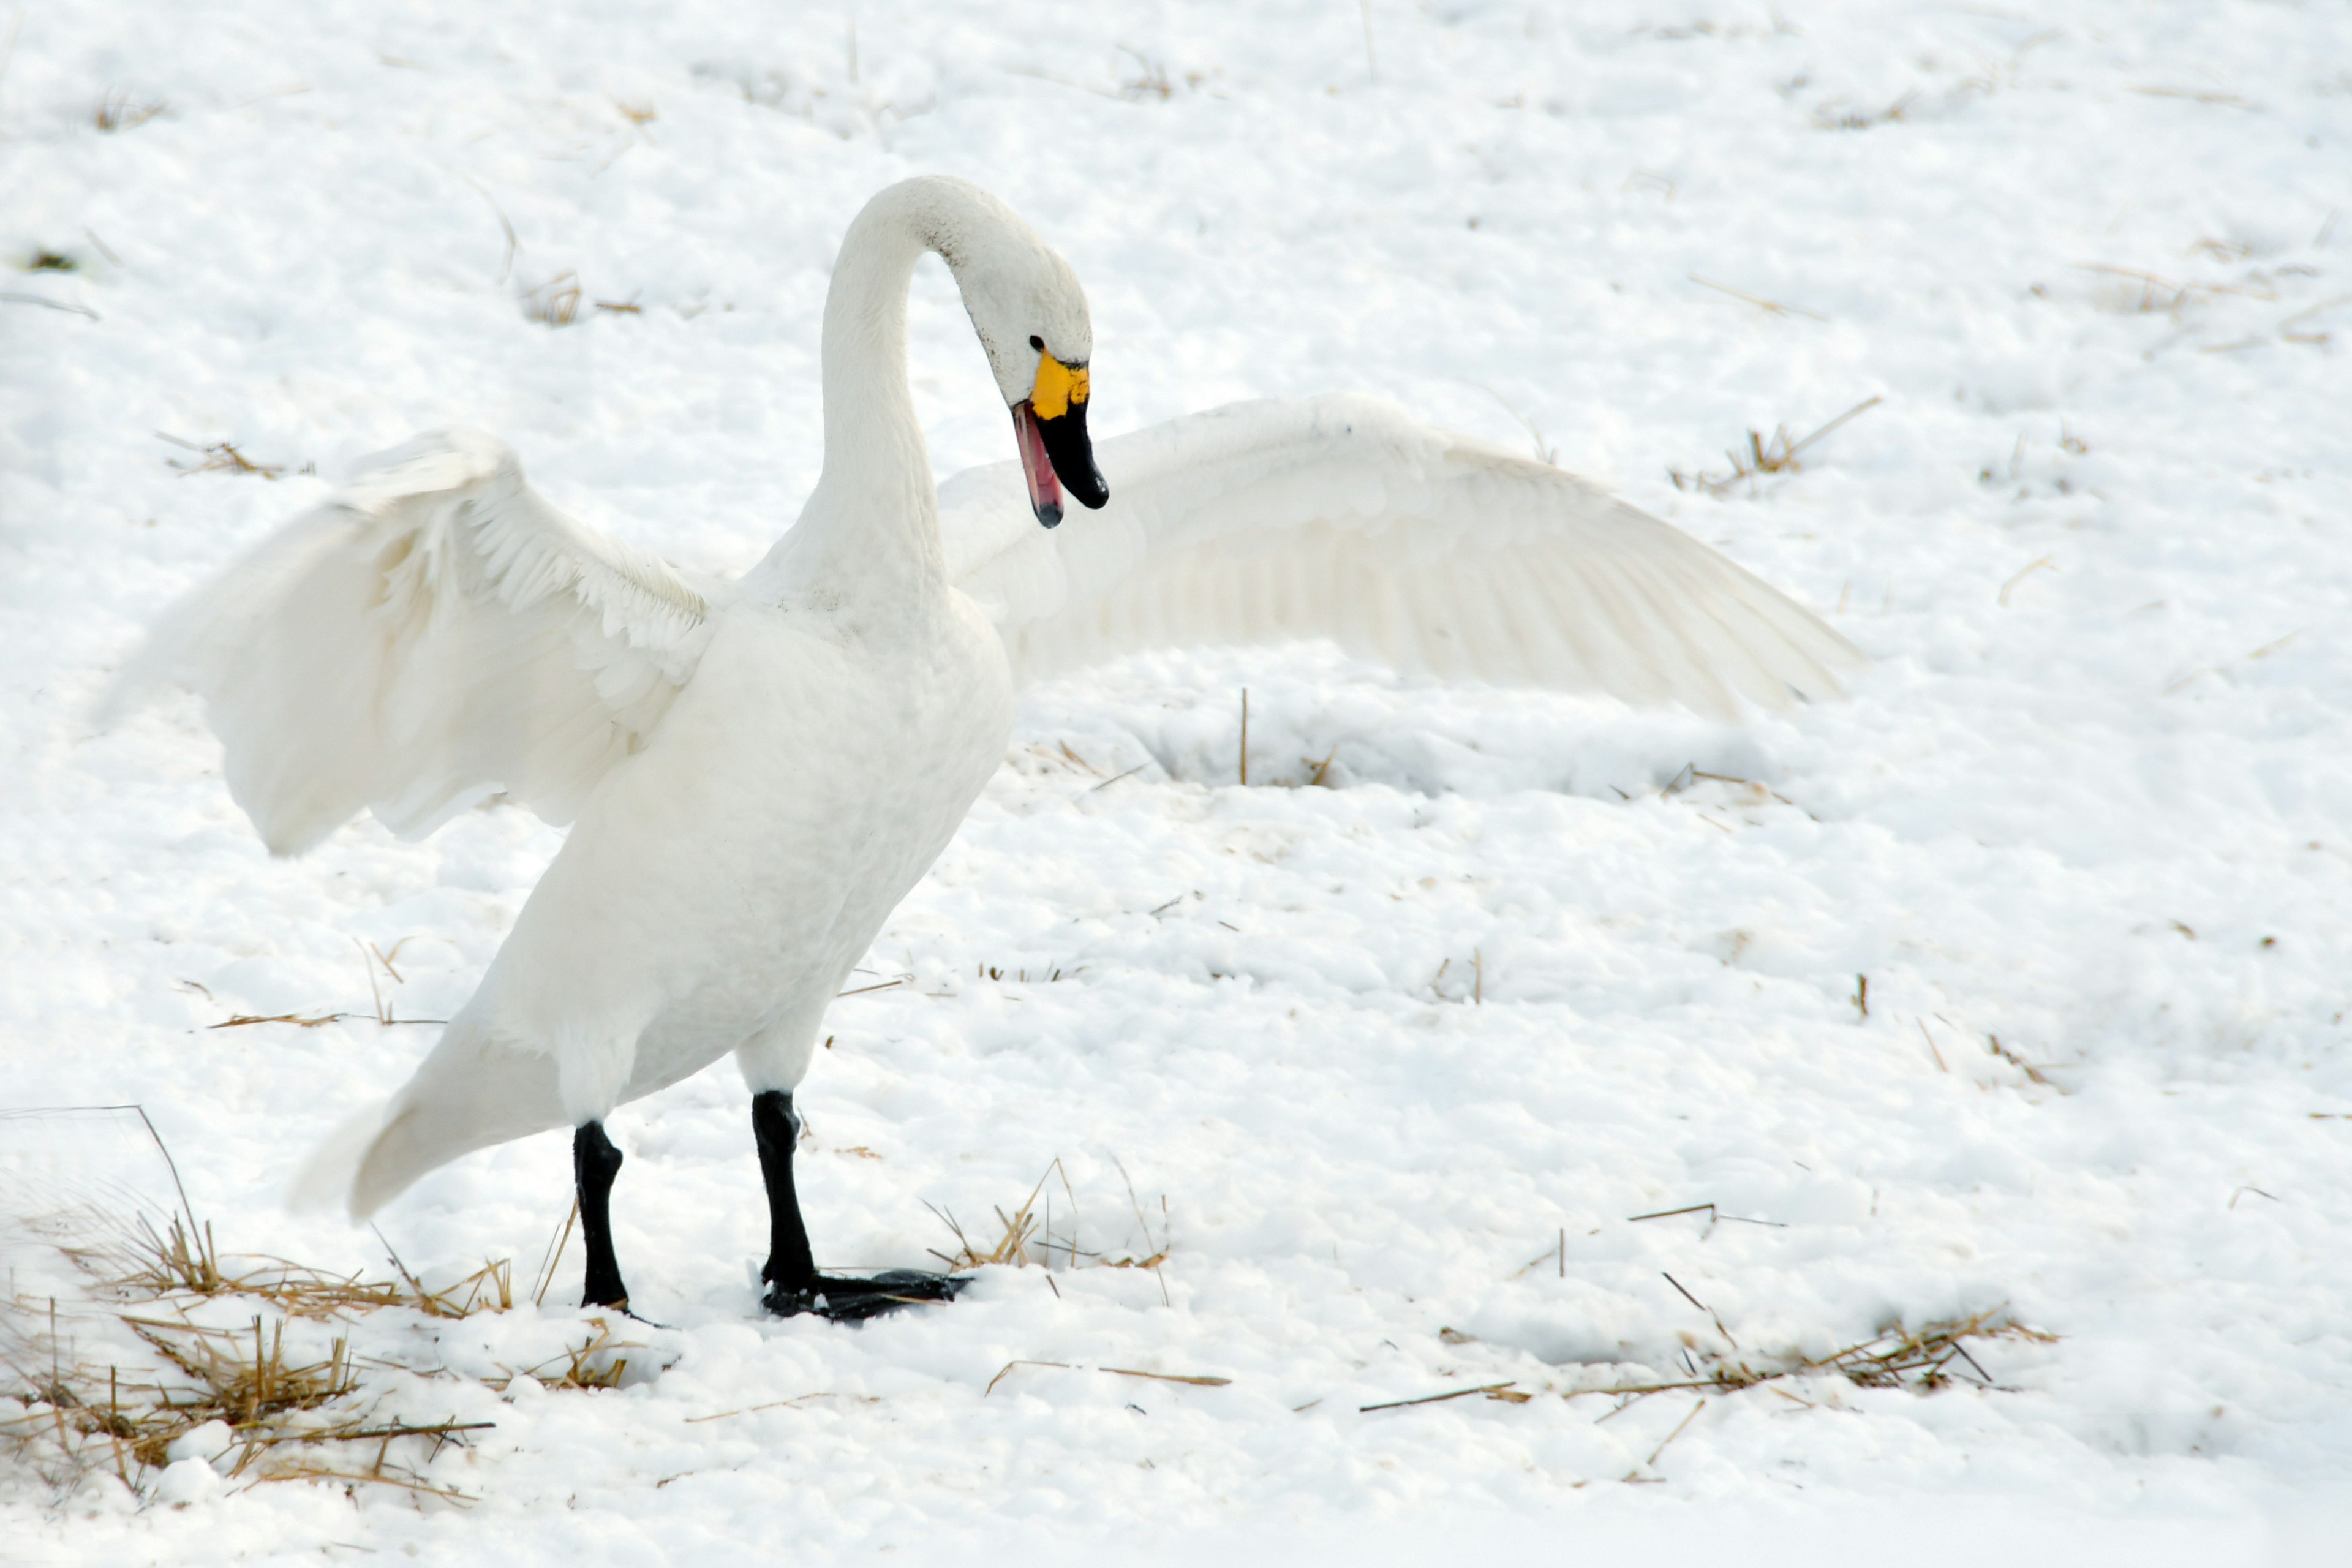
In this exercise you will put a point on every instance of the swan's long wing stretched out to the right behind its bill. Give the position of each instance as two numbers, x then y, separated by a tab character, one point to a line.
1347	518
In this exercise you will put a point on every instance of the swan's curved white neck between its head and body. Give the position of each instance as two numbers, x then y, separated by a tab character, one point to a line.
871	528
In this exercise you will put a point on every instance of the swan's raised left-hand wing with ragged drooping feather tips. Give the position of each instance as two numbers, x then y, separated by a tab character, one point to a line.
427	638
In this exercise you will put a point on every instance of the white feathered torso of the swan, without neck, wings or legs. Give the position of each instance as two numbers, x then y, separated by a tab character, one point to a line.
646	956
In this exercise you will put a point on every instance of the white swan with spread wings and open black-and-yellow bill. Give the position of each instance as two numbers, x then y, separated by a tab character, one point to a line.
759	770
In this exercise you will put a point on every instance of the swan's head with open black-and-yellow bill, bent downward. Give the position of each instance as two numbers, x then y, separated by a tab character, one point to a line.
1034	323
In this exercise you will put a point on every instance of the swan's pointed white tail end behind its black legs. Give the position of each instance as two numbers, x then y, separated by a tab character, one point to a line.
469	1094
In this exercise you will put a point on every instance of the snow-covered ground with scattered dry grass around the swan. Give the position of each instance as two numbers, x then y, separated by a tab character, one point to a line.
1379	1045
